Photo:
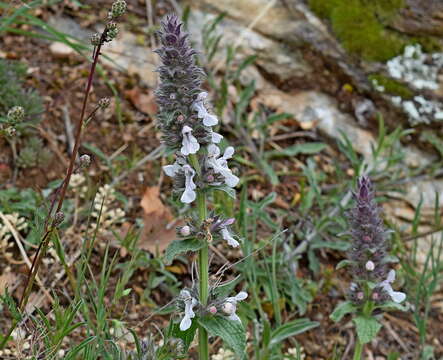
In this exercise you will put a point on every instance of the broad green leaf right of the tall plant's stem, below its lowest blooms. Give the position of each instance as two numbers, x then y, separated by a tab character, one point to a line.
232	332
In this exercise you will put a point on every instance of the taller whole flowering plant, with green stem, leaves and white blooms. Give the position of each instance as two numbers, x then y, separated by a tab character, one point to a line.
199	167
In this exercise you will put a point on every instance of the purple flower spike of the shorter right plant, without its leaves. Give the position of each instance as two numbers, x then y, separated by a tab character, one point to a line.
368	253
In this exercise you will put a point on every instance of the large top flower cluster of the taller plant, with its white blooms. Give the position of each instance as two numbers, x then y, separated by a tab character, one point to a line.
184	119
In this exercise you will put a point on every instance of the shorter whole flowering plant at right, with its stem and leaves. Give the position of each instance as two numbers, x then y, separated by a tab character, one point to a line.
371	290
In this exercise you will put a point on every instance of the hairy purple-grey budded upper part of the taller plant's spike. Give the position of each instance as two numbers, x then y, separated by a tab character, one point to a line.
179	89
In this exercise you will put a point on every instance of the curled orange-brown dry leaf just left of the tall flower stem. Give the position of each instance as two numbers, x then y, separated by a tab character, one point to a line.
159	229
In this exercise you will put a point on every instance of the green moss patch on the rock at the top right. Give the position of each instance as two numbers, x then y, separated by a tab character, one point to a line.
359	25
